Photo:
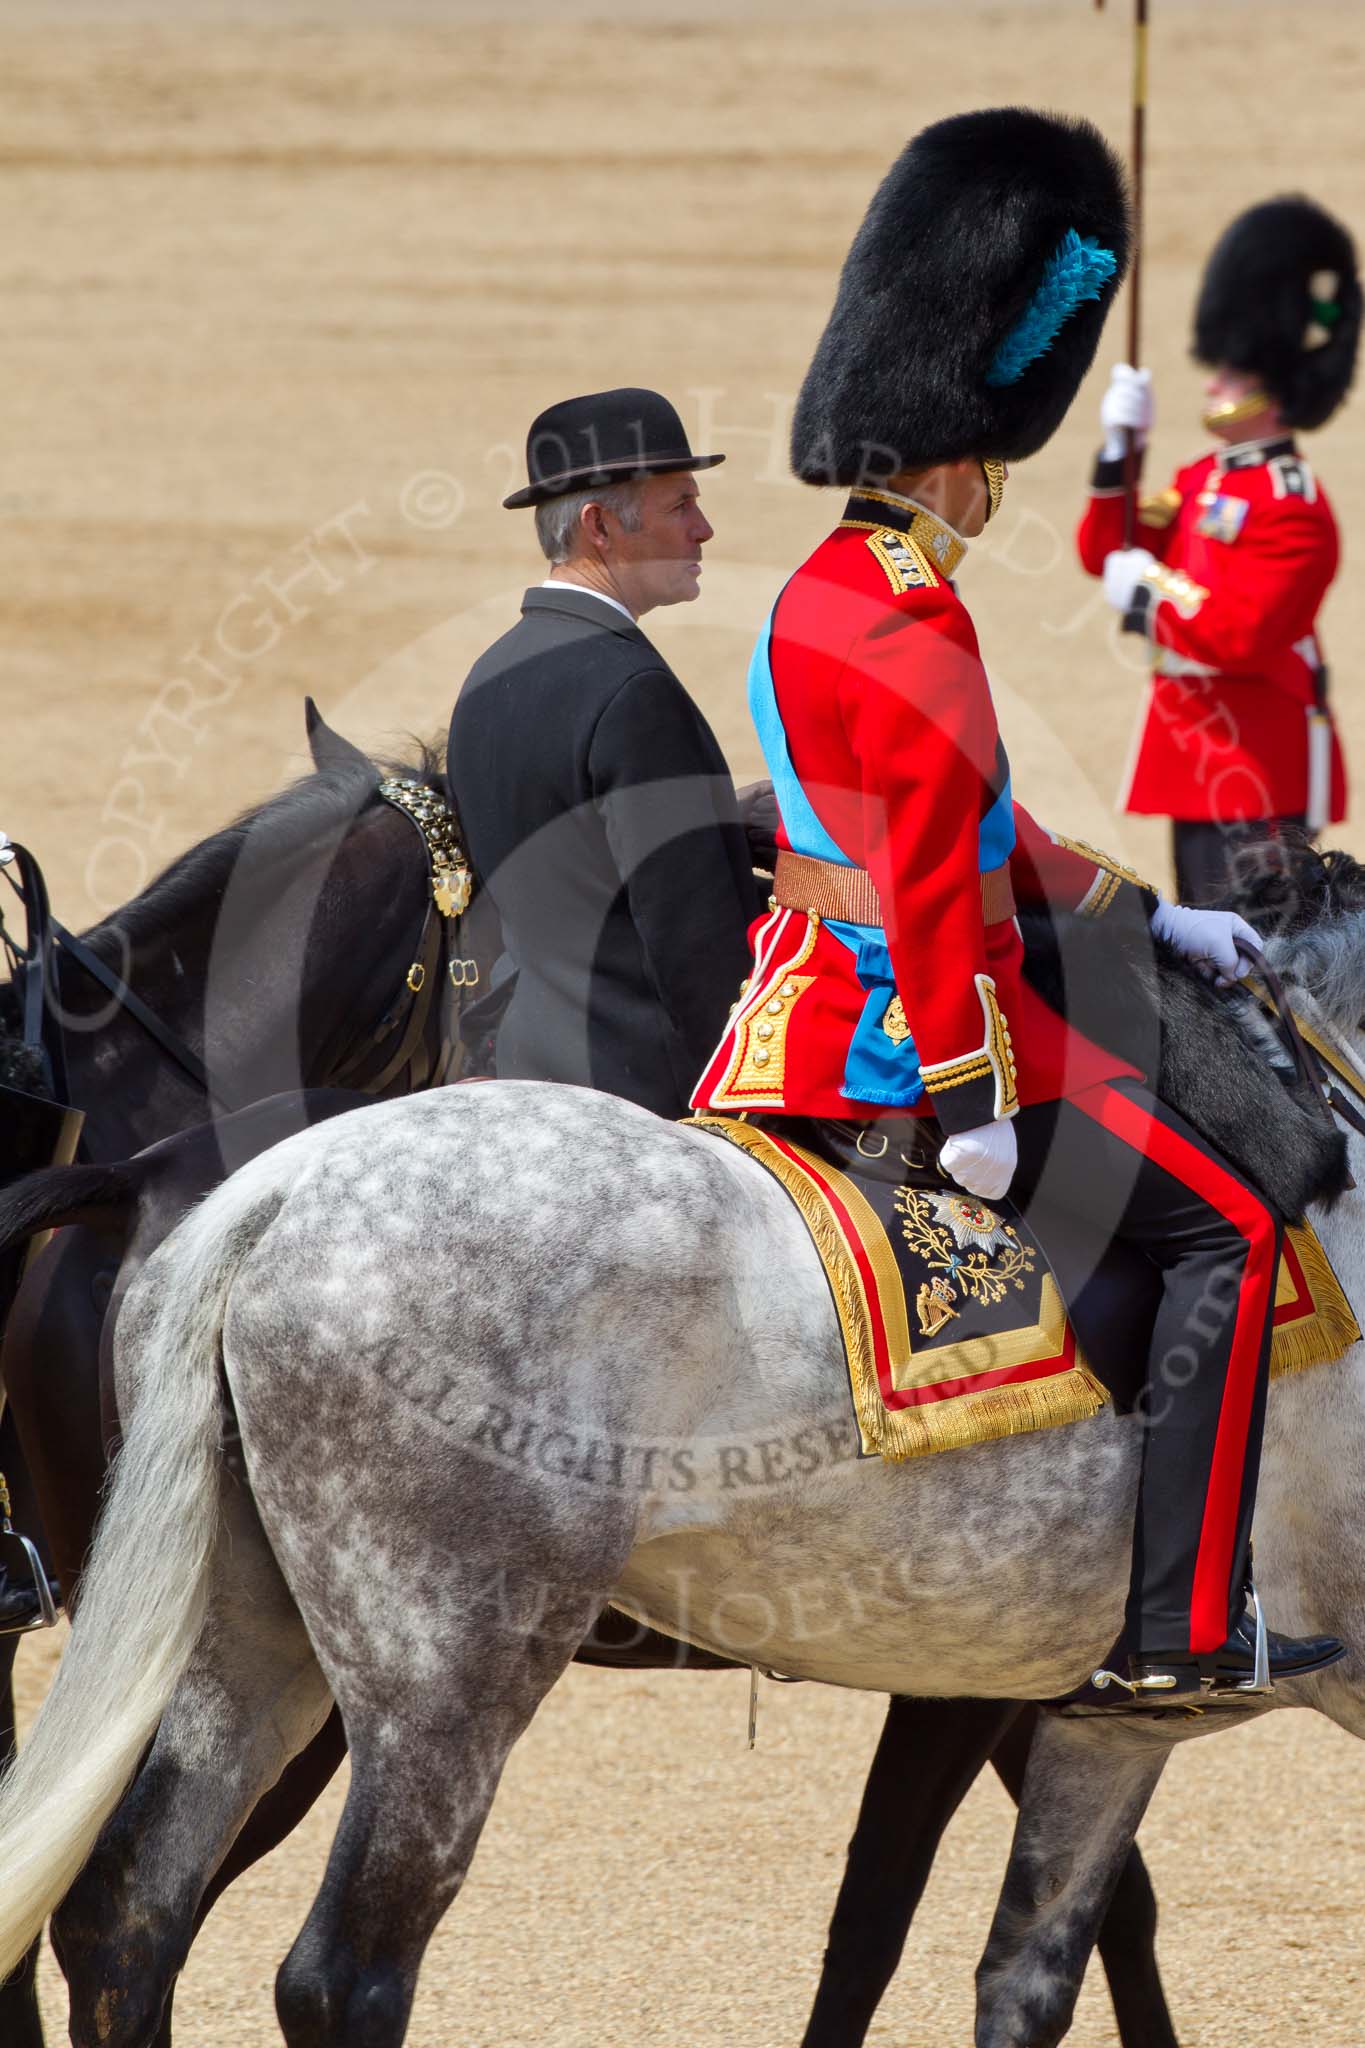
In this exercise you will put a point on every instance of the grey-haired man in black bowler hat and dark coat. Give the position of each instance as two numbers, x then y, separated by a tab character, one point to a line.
595	798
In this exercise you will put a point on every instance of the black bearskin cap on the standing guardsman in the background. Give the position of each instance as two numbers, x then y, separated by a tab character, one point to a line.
1282	300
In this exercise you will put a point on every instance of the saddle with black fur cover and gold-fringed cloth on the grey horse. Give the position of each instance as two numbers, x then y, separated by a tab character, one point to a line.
959	1326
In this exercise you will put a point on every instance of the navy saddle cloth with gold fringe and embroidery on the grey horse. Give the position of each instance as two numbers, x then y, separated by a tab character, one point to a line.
959	1328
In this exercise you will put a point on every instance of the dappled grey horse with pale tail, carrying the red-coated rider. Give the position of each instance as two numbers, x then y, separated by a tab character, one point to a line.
490	1357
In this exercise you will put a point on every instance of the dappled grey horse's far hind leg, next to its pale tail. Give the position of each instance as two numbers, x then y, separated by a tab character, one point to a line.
251	1699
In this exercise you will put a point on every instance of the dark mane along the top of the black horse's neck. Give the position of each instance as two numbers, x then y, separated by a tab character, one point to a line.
283	824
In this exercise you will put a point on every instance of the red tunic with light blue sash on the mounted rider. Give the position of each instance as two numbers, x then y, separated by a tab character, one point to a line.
881	738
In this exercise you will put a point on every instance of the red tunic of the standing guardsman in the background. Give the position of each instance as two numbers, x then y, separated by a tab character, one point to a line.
1247	548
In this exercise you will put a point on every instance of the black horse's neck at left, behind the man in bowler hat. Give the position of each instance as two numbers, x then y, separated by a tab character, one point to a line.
273	953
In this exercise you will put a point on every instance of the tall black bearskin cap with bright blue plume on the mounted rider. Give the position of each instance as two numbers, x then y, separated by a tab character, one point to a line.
971	302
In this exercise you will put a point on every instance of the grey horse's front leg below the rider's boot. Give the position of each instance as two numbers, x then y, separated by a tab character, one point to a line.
1086	1791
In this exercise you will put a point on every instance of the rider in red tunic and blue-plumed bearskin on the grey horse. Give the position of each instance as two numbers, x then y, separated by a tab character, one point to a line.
887	976
